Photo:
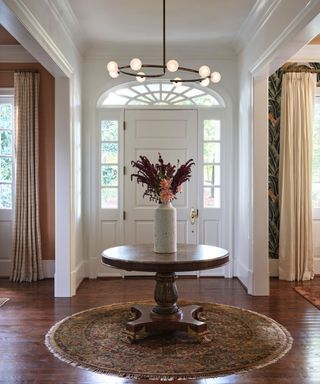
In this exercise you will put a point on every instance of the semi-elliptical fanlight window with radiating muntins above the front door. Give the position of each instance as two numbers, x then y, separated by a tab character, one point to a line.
160	94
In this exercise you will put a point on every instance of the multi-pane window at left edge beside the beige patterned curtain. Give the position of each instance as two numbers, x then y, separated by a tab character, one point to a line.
6	150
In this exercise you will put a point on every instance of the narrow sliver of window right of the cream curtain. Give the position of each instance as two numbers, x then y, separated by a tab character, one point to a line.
316	155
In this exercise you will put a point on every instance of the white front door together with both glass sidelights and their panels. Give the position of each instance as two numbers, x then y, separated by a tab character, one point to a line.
125	216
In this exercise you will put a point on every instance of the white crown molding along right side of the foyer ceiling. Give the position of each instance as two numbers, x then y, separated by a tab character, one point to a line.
254	22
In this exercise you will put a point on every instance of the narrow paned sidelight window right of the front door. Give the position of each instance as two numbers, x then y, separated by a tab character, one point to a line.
211	164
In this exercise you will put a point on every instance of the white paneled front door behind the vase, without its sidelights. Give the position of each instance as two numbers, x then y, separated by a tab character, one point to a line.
173	134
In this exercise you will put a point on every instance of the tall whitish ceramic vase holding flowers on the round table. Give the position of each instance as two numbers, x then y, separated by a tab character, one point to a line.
165	228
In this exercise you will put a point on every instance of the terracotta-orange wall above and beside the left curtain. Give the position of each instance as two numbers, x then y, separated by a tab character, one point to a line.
46	143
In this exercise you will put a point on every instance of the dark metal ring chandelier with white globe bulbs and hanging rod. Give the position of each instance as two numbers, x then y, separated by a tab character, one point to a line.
204	74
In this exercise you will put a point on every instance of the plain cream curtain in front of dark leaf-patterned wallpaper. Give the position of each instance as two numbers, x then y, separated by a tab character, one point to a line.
297	115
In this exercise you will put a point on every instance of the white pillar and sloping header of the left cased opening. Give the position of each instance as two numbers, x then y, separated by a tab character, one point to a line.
35	24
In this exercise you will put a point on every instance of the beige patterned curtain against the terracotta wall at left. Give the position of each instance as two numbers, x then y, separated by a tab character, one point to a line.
27	261
